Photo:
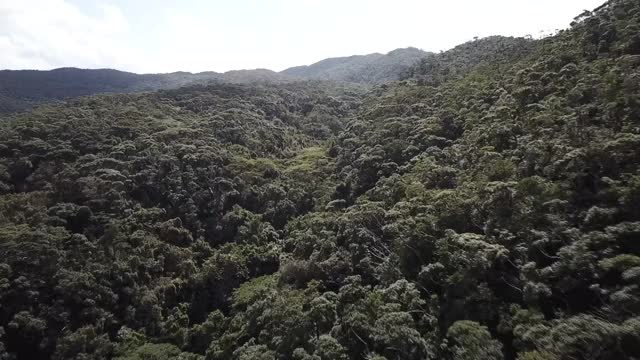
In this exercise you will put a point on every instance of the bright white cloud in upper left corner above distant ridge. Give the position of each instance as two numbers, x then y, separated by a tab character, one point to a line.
45	34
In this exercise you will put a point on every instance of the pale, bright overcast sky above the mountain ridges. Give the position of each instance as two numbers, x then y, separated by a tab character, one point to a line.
152	36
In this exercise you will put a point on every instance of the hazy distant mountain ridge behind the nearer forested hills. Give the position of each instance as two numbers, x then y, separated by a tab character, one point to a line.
22	89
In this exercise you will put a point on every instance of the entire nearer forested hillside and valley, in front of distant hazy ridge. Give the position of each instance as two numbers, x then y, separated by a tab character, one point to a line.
485	207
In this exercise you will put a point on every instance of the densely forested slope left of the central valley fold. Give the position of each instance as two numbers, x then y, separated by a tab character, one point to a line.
130	218
